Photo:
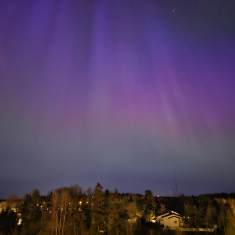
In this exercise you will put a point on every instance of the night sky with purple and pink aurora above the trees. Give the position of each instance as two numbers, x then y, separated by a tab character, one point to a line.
135	94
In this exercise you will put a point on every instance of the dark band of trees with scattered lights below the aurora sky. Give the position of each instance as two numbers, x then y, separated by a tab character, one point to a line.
70	210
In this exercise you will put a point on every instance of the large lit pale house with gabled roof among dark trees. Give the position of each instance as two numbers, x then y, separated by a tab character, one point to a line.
170	220
